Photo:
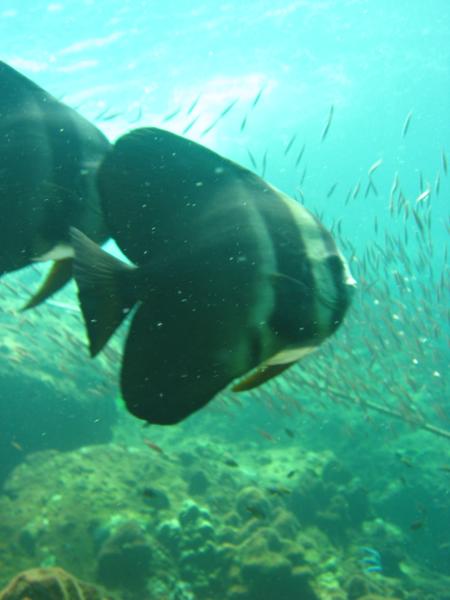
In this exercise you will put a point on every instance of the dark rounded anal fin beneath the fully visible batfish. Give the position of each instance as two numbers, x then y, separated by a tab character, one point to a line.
162	380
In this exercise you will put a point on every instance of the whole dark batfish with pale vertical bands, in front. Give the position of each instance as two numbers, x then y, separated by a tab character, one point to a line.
231	275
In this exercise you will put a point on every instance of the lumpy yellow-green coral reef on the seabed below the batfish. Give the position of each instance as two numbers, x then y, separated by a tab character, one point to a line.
131	518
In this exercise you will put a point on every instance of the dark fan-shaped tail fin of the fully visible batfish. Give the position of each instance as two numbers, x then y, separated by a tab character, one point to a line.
106	289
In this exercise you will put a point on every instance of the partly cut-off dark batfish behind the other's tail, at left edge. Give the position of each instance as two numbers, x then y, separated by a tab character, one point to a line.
48	160
